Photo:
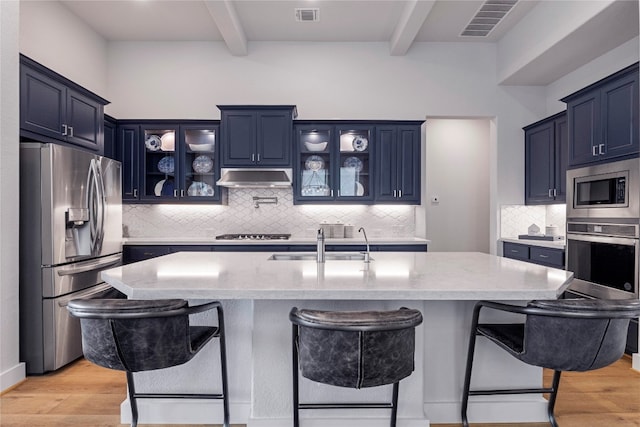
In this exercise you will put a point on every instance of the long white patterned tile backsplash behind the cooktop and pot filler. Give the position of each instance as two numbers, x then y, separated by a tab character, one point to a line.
241	216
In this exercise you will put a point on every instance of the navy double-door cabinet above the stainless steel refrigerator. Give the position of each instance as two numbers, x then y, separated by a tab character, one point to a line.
55	109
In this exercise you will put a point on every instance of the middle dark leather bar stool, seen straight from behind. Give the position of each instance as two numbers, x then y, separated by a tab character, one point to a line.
353	349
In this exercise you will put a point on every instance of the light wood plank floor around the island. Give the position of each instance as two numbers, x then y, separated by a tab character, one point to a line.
85	395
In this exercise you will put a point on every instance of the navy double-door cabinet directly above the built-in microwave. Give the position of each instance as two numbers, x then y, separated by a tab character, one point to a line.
603	119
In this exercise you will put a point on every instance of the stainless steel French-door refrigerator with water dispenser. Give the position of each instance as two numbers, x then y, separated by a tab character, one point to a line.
70	230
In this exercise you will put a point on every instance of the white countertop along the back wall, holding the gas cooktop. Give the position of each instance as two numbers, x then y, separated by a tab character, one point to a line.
292	241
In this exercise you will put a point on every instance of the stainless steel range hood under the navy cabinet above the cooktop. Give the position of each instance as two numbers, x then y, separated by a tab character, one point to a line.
255	178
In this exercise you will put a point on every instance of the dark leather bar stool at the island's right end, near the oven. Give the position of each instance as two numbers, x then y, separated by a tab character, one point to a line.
563	335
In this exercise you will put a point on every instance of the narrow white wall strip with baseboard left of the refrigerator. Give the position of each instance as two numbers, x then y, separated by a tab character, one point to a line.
11	370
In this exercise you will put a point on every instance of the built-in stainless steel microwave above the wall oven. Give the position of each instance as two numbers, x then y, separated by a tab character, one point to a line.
608	190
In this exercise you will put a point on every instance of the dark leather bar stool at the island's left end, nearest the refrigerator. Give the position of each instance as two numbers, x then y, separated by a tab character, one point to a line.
143	335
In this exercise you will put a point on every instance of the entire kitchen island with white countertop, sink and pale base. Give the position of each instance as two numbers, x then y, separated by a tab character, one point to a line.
258	292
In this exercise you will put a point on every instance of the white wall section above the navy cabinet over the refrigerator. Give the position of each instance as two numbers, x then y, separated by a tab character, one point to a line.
53	36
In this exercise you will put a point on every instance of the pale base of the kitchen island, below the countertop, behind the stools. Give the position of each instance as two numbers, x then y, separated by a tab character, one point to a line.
259	358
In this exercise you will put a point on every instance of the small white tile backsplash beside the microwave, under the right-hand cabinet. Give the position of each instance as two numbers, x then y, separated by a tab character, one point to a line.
516	219
